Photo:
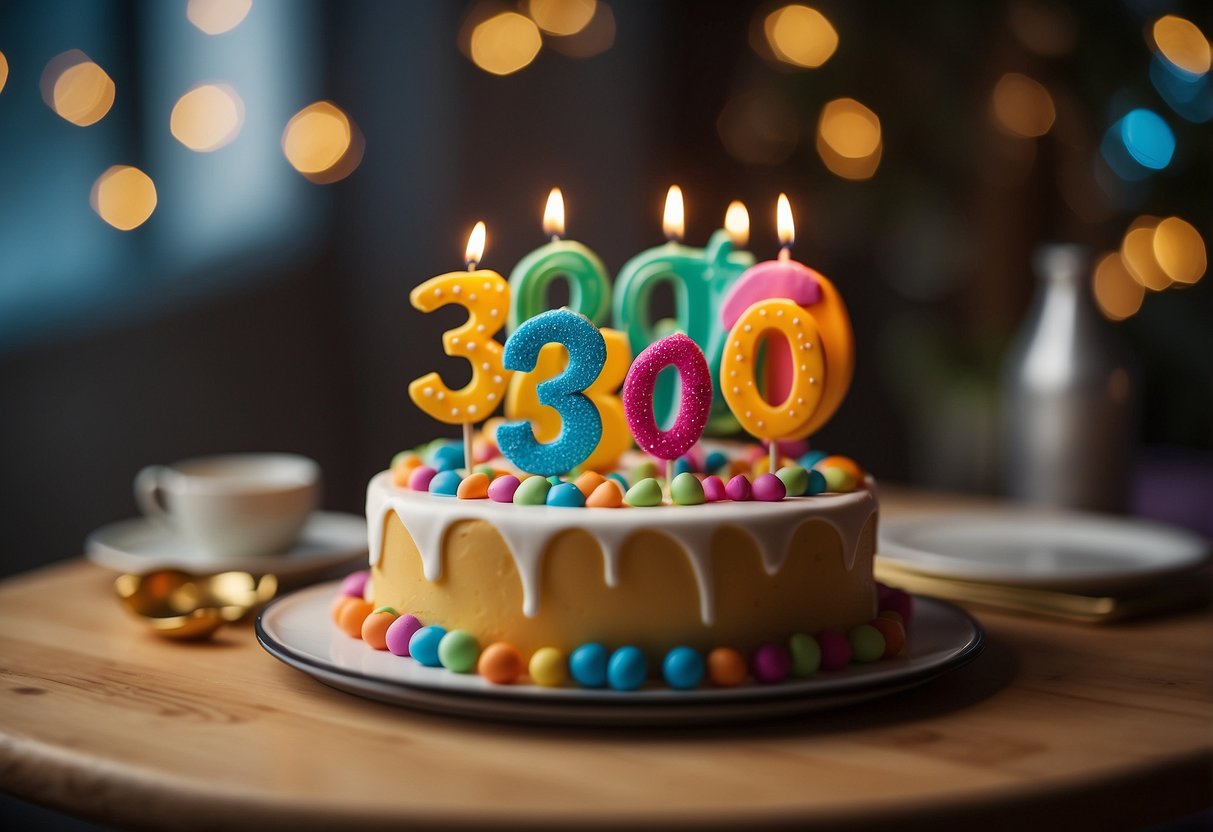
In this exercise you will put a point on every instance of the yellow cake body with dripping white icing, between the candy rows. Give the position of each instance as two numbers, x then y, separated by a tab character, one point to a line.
716	575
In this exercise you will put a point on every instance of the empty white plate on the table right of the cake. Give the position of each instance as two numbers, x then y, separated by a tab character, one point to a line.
1037	548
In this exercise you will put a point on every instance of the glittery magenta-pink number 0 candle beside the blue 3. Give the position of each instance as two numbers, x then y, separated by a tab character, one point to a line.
696	402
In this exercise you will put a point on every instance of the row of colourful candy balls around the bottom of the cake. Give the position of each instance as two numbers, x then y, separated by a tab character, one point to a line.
628	668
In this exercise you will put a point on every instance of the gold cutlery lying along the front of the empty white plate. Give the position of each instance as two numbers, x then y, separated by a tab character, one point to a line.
1187	591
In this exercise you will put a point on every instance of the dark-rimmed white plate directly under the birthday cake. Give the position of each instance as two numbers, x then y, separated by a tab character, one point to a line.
297	629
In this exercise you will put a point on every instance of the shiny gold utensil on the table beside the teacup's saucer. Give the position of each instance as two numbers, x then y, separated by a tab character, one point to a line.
180	606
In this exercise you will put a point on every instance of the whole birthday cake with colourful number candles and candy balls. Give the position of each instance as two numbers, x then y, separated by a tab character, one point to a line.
512	556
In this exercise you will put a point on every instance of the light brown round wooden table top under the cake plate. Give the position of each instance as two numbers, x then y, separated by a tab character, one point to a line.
1055	725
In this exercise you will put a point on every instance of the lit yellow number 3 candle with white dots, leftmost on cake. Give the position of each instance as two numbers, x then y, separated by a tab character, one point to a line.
486	295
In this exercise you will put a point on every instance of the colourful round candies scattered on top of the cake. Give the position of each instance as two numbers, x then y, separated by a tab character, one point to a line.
594	491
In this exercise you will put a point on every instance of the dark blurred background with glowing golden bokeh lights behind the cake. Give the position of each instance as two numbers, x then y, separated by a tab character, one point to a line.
212	214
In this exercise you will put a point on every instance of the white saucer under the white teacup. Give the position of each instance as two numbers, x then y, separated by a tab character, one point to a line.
329	540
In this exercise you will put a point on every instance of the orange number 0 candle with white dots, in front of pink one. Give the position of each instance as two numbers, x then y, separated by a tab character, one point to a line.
791	419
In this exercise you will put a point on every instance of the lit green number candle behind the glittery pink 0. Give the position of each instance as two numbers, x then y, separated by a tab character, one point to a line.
701	280
